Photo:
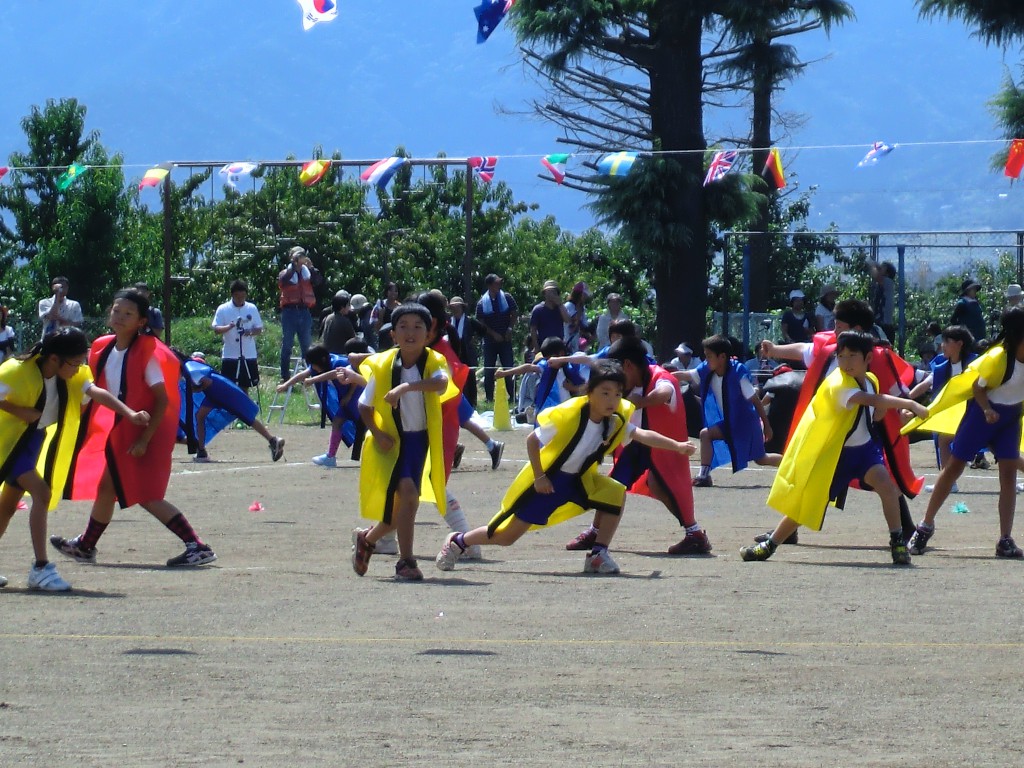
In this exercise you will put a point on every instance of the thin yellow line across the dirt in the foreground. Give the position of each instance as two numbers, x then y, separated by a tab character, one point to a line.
328	641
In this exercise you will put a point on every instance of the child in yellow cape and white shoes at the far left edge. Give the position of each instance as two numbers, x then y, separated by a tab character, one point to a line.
41	397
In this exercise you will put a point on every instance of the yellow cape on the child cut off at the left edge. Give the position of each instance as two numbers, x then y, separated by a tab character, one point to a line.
26	385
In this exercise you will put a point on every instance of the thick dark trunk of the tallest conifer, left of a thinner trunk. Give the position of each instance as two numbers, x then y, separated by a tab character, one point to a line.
677	120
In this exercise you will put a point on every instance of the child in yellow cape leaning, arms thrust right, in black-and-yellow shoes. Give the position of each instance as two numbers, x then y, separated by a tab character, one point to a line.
835	443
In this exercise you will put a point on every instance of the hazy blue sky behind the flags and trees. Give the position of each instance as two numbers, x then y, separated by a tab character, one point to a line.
242	81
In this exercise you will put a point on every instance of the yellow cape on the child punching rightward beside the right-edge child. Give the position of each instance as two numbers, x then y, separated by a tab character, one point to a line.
801	488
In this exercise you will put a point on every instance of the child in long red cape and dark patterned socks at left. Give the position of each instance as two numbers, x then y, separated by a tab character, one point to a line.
123	462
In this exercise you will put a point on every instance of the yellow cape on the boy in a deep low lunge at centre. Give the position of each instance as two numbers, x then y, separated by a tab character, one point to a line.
570	420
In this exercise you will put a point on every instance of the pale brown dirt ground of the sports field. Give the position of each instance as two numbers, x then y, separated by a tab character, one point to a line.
279	655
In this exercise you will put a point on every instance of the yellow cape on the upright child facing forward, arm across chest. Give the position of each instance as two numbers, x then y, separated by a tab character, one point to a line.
378	472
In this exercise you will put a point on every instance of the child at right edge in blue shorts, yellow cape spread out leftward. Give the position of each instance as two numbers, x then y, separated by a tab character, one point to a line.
994	390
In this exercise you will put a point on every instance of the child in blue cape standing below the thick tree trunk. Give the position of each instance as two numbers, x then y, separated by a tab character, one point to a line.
736	421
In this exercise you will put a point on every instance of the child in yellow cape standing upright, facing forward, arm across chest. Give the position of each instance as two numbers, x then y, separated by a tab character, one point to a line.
402	408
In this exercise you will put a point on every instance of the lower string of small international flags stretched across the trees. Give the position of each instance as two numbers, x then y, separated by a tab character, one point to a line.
614	164
